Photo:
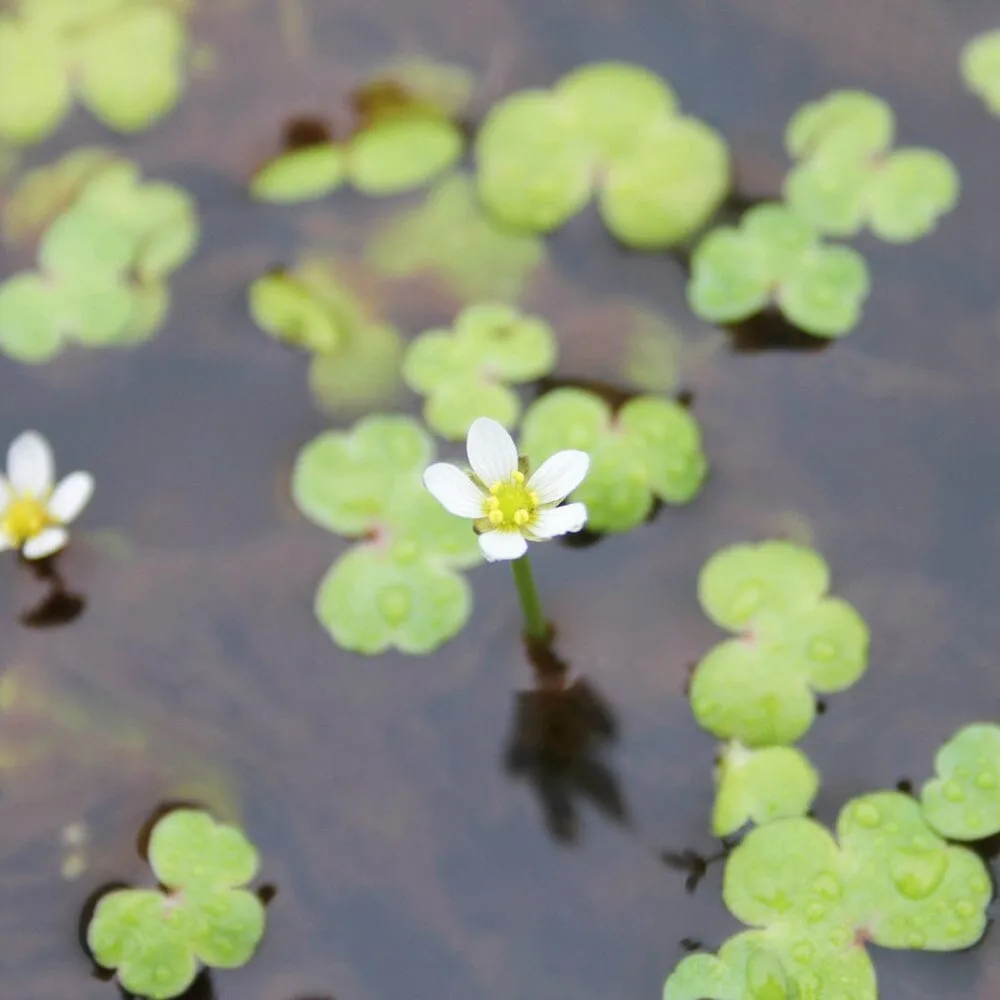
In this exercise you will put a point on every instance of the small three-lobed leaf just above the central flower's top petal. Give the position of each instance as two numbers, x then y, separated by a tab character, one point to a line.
465	372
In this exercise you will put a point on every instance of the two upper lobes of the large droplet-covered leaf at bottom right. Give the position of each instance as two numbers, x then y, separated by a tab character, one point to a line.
891	880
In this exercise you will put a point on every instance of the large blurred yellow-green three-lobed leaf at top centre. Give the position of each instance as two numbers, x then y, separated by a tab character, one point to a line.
608	128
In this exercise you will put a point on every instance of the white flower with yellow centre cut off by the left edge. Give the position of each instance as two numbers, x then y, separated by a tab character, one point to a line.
33	509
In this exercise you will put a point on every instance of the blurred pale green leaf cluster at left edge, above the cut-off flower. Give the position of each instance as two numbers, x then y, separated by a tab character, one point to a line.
103	260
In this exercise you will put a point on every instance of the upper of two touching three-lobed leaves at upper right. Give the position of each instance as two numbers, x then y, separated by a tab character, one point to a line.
847	176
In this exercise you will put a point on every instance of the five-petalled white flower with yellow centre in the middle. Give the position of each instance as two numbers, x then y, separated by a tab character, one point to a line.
509	511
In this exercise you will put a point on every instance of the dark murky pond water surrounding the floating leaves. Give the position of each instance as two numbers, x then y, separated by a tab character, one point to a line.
410	855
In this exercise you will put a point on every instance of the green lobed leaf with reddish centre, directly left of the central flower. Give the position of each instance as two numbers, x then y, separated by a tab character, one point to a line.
398	587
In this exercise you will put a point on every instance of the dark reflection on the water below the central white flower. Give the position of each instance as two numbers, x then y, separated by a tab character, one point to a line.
561	730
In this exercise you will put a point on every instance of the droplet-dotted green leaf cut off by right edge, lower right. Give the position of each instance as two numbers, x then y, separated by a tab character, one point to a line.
962	802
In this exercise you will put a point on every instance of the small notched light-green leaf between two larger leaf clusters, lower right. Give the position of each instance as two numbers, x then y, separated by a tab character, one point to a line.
760	786
